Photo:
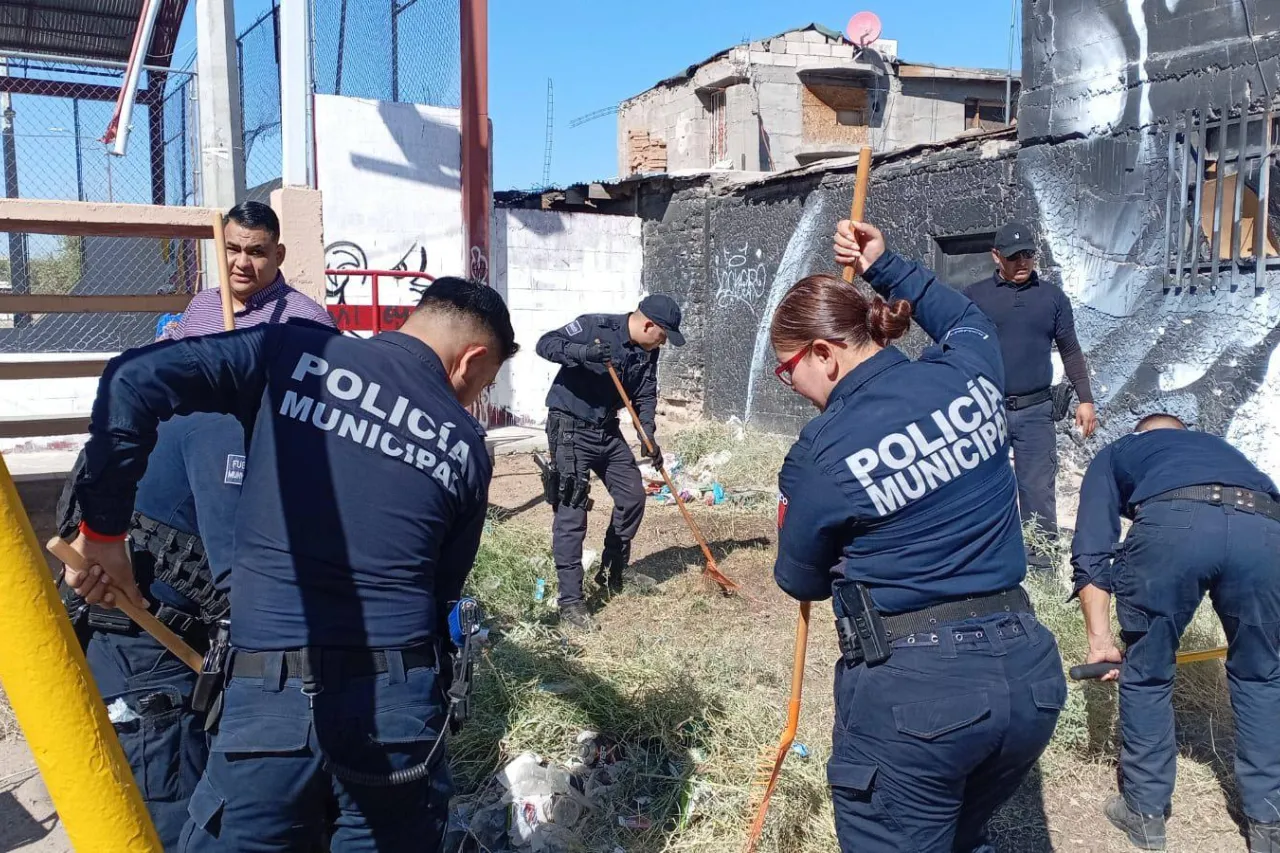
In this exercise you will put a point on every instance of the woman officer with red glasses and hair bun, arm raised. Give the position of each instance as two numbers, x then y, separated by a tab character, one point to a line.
899	501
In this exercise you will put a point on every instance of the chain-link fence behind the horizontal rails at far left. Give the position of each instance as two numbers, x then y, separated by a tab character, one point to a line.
53	117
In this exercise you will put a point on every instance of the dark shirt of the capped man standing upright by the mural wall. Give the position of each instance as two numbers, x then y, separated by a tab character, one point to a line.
1030	320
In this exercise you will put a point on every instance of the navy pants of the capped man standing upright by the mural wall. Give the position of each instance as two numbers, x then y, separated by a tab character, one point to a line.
1035	444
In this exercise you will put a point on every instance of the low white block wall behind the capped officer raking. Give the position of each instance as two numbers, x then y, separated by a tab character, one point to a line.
554	267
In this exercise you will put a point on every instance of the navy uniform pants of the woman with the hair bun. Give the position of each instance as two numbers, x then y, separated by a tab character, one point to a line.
930	743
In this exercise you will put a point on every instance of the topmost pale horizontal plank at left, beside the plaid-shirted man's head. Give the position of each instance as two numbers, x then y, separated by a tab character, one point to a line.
104	220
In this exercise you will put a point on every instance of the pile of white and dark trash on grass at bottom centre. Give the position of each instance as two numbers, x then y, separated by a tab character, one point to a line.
542	806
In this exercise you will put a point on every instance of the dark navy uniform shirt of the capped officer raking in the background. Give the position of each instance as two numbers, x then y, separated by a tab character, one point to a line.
586	390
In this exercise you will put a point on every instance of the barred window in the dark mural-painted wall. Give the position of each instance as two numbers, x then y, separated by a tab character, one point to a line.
1217	216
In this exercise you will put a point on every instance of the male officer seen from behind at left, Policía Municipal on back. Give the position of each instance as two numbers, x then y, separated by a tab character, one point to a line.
360	516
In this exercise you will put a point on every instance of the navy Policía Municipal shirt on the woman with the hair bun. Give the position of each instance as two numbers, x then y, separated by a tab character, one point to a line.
904	482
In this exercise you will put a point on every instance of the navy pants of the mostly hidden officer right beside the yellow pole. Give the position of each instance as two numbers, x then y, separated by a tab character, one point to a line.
163	738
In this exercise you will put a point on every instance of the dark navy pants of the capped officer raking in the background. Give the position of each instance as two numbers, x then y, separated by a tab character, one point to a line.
605	453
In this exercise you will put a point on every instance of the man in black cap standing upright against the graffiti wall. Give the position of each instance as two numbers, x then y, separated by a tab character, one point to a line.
1032	316
